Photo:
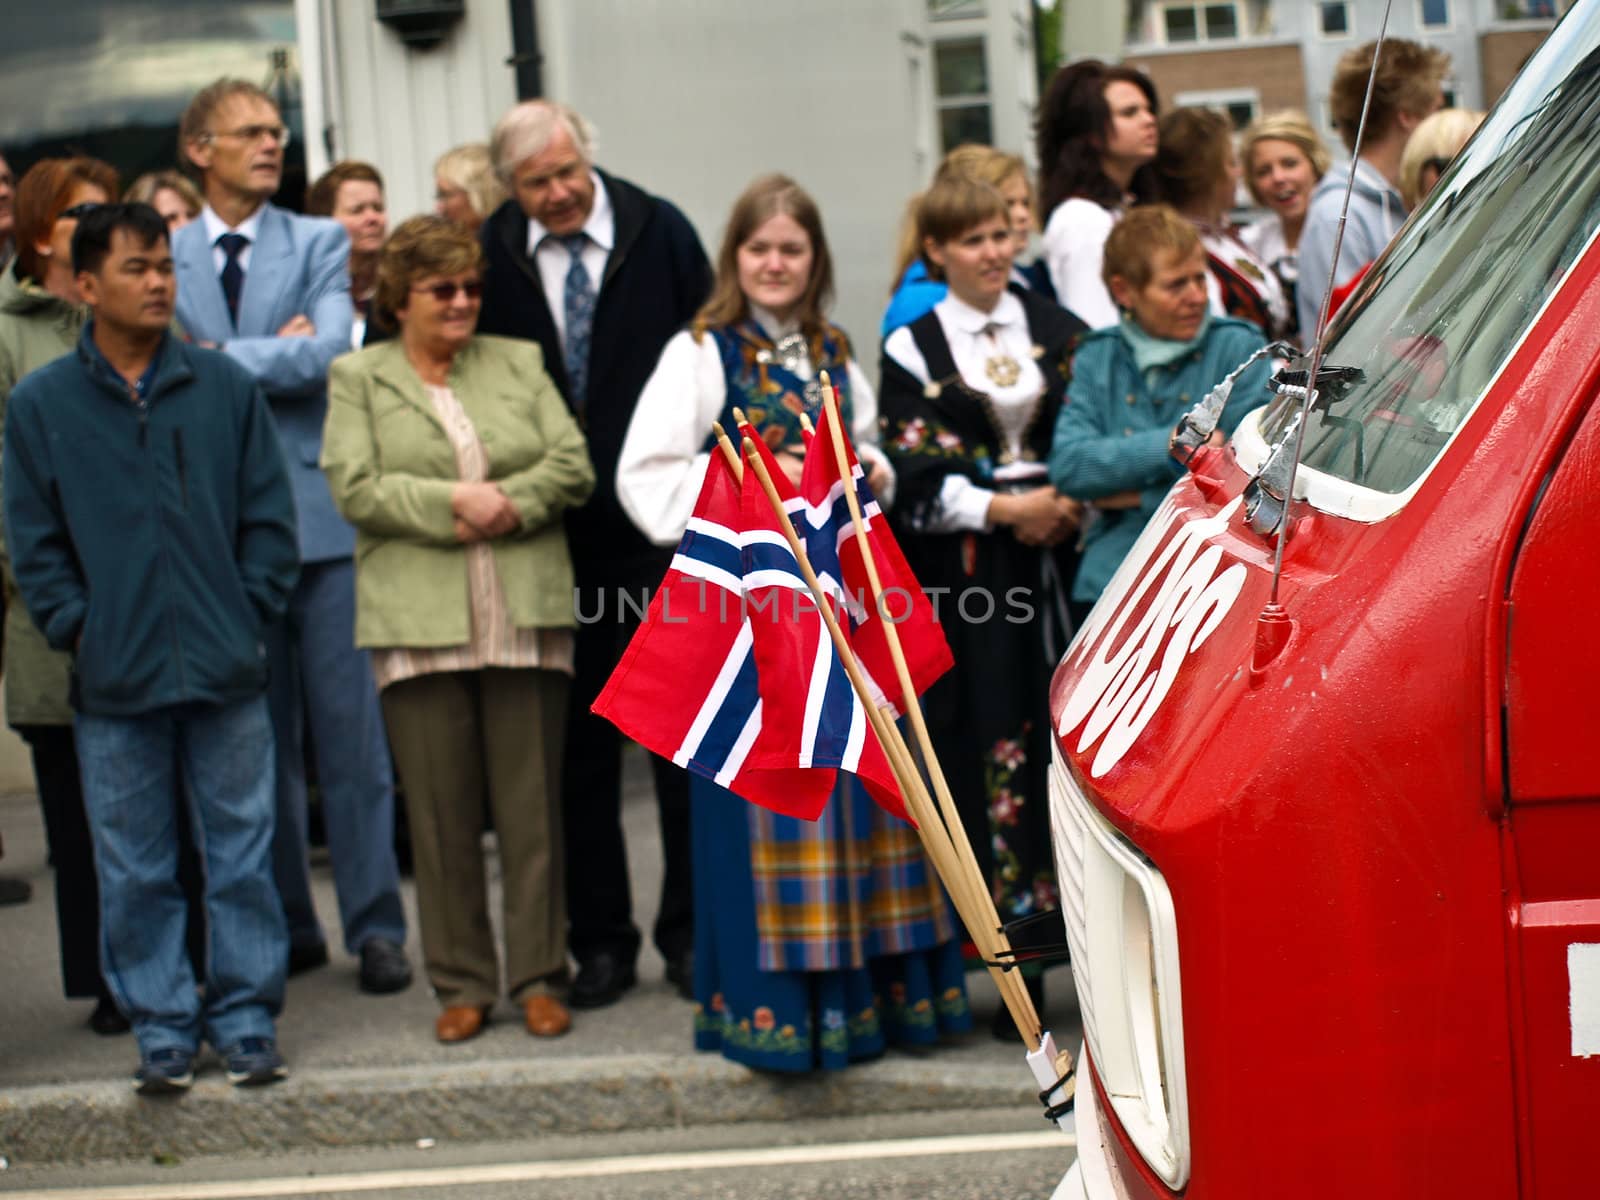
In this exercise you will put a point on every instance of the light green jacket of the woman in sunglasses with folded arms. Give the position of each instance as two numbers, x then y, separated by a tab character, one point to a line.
393	470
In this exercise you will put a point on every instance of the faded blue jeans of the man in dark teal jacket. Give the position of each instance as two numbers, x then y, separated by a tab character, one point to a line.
132	791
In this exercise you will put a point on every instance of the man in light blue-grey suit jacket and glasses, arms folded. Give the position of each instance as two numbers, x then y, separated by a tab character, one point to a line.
271	290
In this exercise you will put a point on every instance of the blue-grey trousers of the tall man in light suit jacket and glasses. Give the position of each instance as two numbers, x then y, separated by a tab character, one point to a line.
322	682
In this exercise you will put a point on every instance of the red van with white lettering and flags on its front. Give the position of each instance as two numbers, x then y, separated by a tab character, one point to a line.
1334	881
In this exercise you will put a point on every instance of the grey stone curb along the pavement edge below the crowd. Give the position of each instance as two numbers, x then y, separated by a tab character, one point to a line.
471	1103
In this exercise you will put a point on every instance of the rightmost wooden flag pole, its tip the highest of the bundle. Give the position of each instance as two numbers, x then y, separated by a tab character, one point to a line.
1018	1001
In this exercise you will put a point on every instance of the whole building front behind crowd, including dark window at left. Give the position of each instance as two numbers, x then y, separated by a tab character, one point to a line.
857	100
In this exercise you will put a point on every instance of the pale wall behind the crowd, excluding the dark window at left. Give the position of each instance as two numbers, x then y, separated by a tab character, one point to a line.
695	98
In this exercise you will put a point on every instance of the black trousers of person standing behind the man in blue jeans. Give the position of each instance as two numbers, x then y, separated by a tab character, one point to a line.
73	855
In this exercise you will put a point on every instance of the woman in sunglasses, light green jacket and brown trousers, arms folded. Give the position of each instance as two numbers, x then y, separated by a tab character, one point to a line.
455	458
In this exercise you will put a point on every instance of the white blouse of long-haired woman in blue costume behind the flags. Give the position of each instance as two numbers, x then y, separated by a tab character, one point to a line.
663	463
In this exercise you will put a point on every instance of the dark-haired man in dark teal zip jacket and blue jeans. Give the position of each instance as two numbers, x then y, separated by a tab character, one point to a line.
153	535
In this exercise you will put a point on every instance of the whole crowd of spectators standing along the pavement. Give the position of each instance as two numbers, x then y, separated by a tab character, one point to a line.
303	505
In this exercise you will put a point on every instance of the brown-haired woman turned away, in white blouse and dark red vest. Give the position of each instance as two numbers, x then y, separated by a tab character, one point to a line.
1198	174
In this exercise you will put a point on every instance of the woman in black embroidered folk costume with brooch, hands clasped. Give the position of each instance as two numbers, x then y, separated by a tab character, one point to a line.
970	396
